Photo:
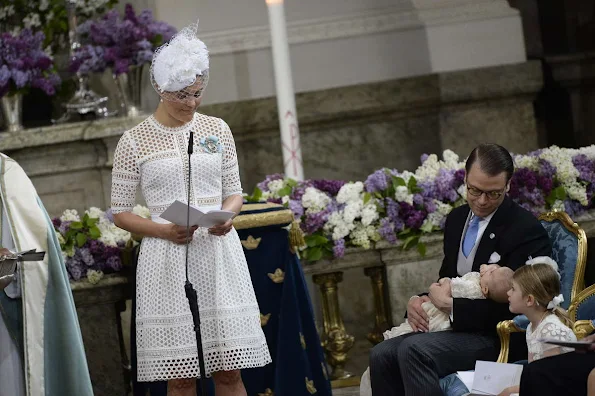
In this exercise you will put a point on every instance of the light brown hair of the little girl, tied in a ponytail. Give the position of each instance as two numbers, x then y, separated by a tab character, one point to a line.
543	283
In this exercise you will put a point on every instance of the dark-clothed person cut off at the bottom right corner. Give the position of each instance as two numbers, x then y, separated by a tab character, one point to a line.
564	374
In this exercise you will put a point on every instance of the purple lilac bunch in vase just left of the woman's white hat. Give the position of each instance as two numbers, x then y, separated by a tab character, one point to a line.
119	42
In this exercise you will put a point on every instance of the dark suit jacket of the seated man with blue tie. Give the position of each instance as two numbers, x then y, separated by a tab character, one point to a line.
517	235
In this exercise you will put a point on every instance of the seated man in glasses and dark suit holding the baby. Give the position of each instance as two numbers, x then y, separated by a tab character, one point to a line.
490	229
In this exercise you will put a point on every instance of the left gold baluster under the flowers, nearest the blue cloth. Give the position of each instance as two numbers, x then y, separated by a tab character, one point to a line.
336	342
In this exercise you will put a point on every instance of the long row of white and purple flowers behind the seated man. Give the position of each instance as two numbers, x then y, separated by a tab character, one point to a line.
395	206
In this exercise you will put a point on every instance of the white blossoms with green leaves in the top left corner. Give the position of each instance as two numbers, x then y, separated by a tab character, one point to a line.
48	16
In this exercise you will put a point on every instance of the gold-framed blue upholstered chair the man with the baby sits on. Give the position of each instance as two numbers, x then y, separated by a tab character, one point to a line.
569	249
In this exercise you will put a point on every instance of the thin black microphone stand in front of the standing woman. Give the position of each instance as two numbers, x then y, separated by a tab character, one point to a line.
190	292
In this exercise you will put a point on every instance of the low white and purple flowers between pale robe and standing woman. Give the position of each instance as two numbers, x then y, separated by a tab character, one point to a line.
92	245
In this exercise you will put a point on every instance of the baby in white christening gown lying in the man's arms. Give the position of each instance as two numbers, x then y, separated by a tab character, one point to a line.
493	285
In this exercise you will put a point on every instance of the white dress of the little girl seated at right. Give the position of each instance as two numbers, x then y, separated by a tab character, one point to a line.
550	327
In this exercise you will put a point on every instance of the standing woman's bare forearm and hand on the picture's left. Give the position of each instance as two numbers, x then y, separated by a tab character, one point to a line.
148	228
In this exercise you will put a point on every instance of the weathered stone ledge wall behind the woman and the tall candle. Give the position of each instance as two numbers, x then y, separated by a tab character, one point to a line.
347	132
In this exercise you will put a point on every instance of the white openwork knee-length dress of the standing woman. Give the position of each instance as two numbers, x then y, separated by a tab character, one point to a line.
156	157
